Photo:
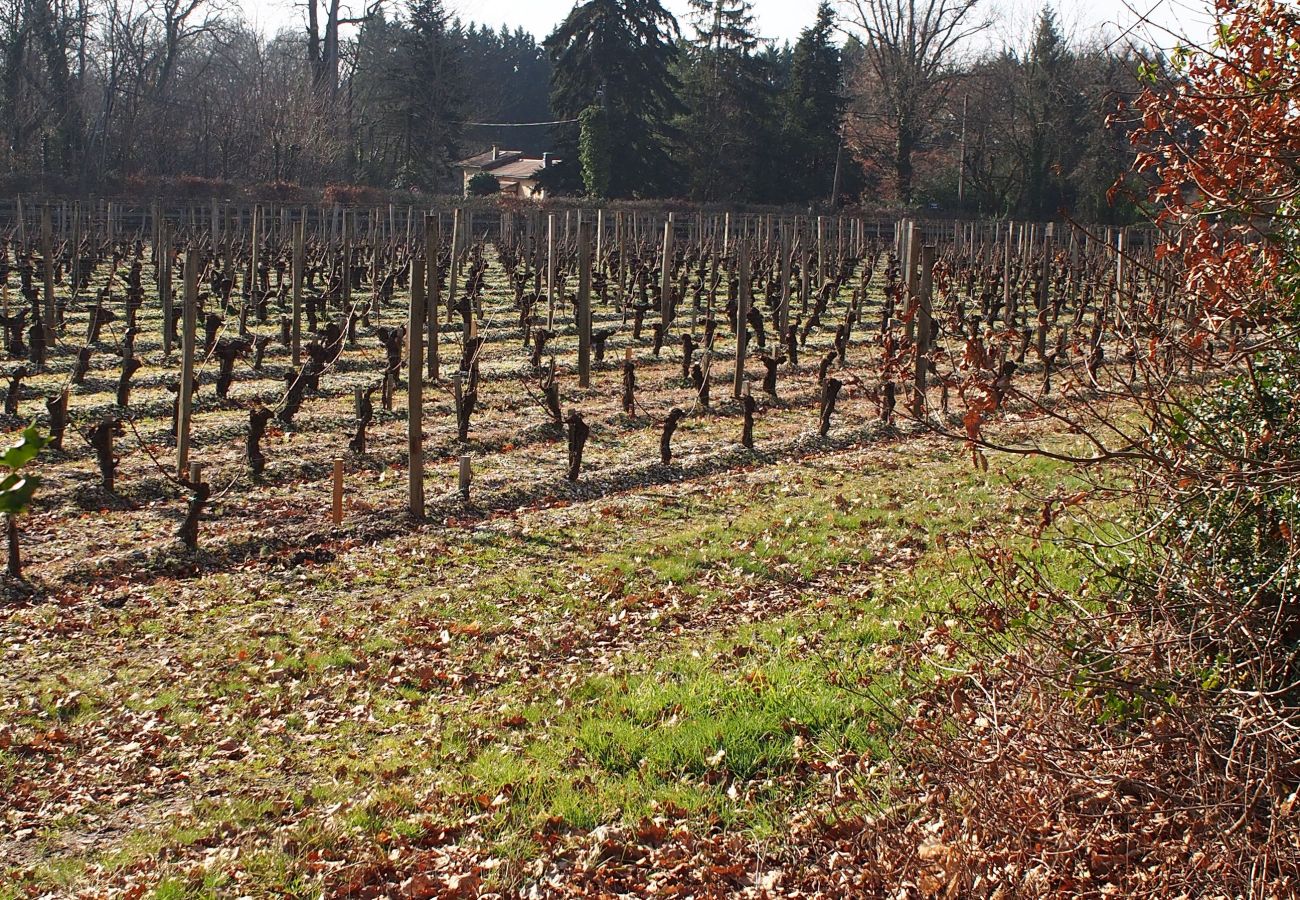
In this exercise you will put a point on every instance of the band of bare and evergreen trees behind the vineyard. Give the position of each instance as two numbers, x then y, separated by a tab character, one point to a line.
876	102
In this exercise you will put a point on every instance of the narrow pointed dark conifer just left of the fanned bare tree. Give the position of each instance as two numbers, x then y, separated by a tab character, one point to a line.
814	107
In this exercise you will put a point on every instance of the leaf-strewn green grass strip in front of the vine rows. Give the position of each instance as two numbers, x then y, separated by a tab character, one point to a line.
695	648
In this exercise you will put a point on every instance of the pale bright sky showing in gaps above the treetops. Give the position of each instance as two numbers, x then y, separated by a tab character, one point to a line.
783	20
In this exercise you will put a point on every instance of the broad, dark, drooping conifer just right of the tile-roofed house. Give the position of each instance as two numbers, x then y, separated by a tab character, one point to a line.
619	54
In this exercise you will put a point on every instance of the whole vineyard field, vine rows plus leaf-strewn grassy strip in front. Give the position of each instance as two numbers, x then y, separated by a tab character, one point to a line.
335	491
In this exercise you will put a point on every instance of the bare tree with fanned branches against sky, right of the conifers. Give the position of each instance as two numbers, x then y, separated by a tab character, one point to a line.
912	57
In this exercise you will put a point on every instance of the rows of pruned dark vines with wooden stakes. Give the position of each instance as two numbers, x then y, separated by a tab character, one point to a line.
558	357
